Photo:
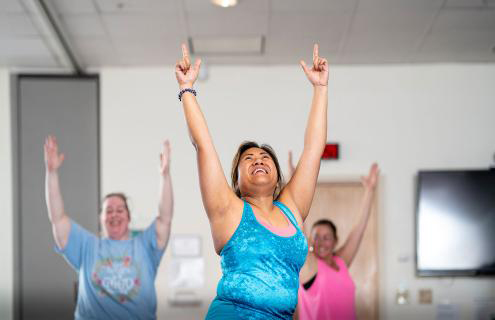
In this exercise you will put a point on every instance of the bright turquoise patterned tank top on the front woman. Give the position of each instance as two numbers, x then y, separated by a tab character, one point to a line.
261	269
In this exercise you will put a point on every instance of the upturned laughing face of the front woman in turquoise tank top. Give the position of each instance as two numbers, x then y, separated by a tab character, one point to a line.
257	172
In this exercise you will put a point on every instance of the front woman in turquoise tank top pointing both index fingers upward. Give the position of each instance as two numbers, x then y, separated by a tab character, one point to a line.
260	267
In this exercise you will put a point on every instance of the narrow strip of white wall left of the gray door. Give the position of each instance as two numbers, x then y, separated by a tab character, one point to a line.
6	209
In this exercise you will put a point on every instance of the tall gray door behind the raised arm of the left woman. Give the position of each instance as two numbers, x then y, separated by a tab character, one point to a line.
68	108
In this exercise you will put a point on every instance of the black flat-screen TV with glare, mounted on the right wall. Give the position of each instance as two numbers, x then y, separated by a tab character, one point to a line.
455	223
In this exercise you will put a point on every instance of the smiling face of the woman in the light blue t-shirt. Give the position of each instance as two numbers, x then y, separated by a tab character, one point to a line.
115	218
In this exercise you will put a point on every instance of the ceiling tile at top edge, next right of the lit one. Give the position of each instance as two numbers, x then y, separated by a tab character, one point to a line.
313	6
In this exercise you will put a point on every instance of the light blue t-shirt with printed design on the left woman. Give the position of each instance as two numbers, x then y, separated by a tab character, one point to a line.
116	277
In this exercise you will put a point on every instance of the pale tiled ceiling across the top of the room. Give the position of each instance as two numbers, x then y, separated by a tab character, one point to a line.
149	32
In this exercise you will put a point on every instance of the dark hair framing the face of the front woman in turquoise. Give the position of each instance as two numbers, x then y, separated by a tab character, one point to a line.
237	158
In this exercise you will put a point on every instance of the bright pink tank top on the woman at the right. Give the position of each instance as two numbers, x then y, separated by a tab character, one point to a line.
331	296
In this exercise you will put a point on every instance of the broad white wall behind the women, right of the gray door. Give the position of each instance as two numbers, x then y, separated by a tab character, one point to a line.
405	117
